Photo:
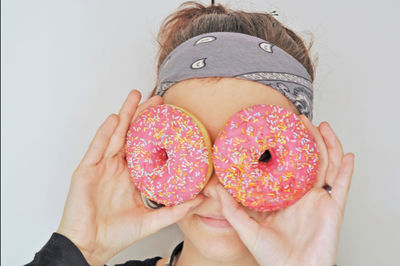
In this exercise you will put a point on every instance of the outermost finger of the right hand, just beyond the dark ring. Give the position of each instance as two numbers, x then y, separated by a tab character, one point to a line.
341	185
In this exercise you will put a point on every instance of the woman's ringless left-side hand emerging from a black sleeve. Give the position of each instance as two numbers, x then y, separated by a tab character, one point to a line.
104	212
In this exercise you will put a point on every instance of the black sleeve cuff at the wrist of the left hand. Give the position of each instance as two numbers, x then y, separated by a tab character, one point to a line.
59	251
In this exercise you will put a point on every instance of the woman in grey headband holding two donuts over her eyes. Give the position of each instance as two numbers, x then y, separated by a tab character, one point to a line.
104	212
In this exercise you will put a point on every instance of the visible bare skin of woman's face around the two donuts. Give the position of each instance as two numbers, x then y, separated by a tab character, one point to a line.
213	103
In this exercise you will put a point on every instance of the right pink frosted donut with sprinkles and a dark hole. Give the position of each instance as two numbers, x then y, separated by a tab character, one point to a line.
265	157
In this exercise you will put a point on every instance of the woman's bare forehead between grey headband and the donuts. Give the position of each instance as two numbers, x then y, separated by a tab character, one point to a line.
213	102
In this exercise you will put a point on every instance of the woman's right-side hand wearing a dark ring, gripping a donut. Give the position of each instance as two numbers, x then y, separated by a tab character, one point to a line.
307	232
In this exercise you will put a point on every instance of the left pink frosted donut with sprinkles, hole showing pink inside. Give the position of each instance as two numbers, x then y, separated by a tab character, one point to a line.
168	151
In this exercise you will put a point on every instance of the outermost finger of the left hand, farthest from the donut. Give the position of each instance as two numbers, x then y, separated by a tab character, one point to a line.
101	140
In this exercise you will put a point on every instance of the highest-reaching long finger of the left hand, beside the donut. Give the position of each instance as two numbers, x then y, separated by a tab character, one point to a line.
126	113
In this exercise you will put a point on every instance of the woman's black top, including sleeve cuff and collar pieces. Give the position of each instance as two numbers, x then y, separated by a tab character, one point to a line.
60	251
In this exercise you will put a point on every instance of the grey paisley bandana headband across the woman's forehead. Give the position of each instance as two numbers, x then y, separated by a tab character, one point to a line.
238	55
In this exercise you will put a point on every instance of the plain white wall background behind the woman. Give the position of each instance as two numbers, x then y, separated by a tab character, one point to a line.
66	65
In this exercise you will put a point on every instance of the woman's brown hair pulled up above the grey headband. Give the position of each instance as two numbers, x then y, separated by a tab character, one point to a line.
192	19
